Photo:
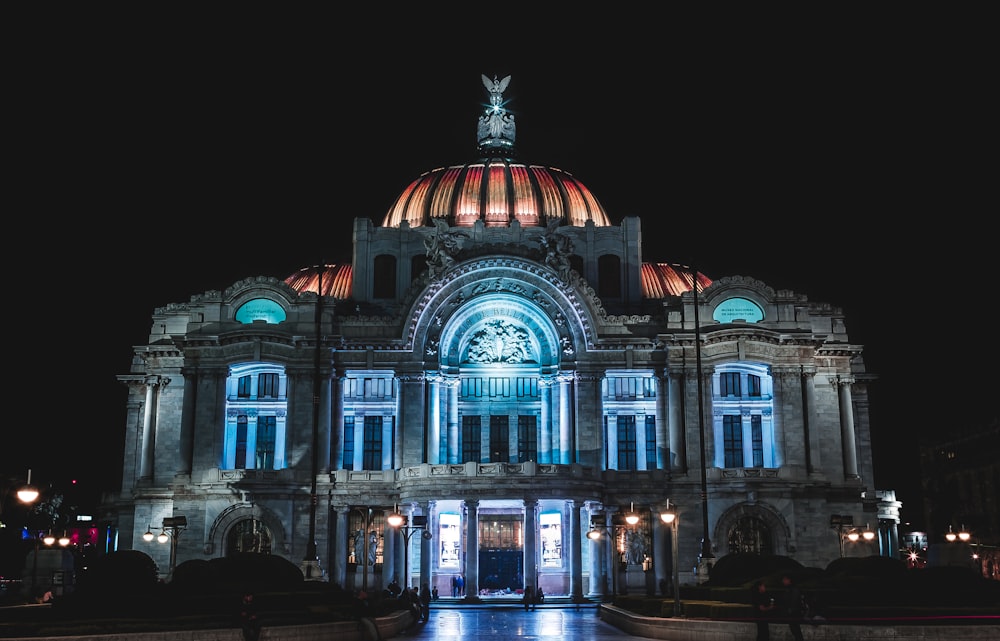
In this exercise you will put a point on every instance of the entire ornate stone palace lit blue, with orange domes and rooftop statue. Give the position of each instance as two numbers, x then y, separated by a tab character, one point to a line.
500	365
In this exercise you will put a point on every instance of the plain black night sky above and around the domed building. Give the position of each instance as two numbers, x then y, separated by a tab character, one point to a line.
845	165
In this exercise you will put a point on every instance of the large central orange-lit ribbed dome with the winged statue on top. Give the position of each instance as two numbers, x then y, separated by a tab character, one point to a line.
496	189
